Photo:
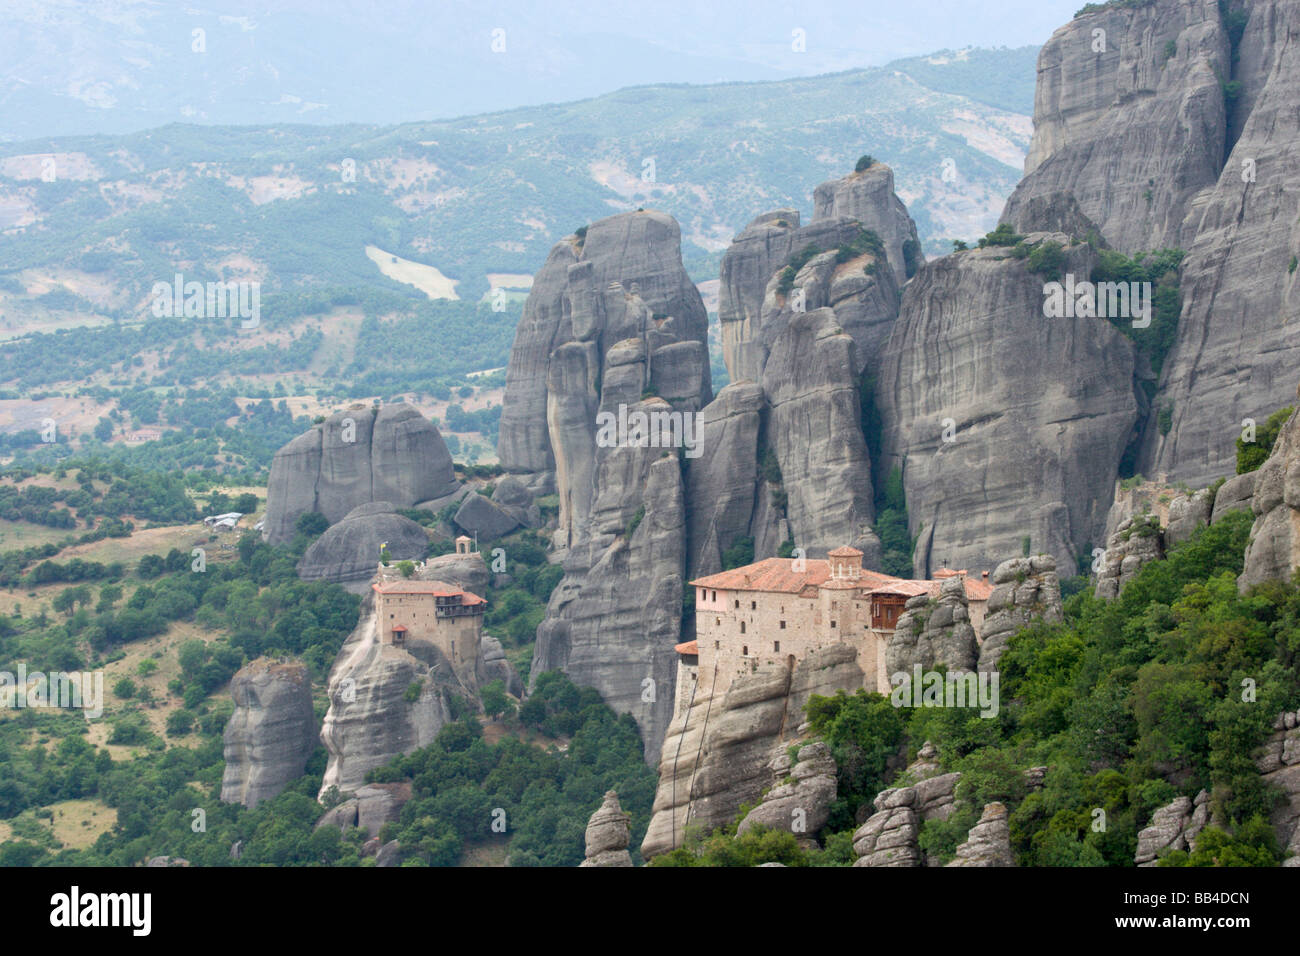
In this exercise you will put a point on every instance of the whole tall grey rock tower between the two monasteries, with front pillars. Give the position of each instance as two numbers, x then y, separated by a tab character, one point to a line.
613	326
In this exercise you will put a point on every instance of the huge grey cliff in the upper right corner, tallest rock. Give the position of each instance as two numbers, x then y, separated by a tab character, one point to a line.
1175	124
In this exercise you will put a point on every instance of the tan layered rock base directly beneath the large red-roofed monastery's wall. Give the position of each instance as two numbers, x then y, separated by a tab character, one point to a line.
710	768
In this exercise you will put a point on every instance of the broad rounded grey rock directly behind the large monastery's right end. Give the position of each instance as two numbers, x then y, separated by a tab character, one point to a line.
1037	412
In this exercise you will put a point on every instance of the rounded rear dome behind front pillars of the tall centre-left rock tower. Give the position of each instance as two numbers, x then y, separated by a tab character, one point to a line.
571	302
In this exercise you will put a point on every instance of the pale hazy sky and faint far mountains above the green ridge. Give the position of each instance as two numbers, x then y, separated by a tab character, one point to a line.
114	66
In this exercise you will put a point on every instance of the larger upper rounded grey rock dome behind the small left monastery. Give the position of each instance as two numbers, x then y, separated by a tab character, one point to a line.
357	457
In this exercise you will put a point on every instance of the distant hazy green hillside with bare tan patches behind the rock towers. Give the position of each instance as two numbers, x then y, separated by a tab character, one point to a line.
475	198
